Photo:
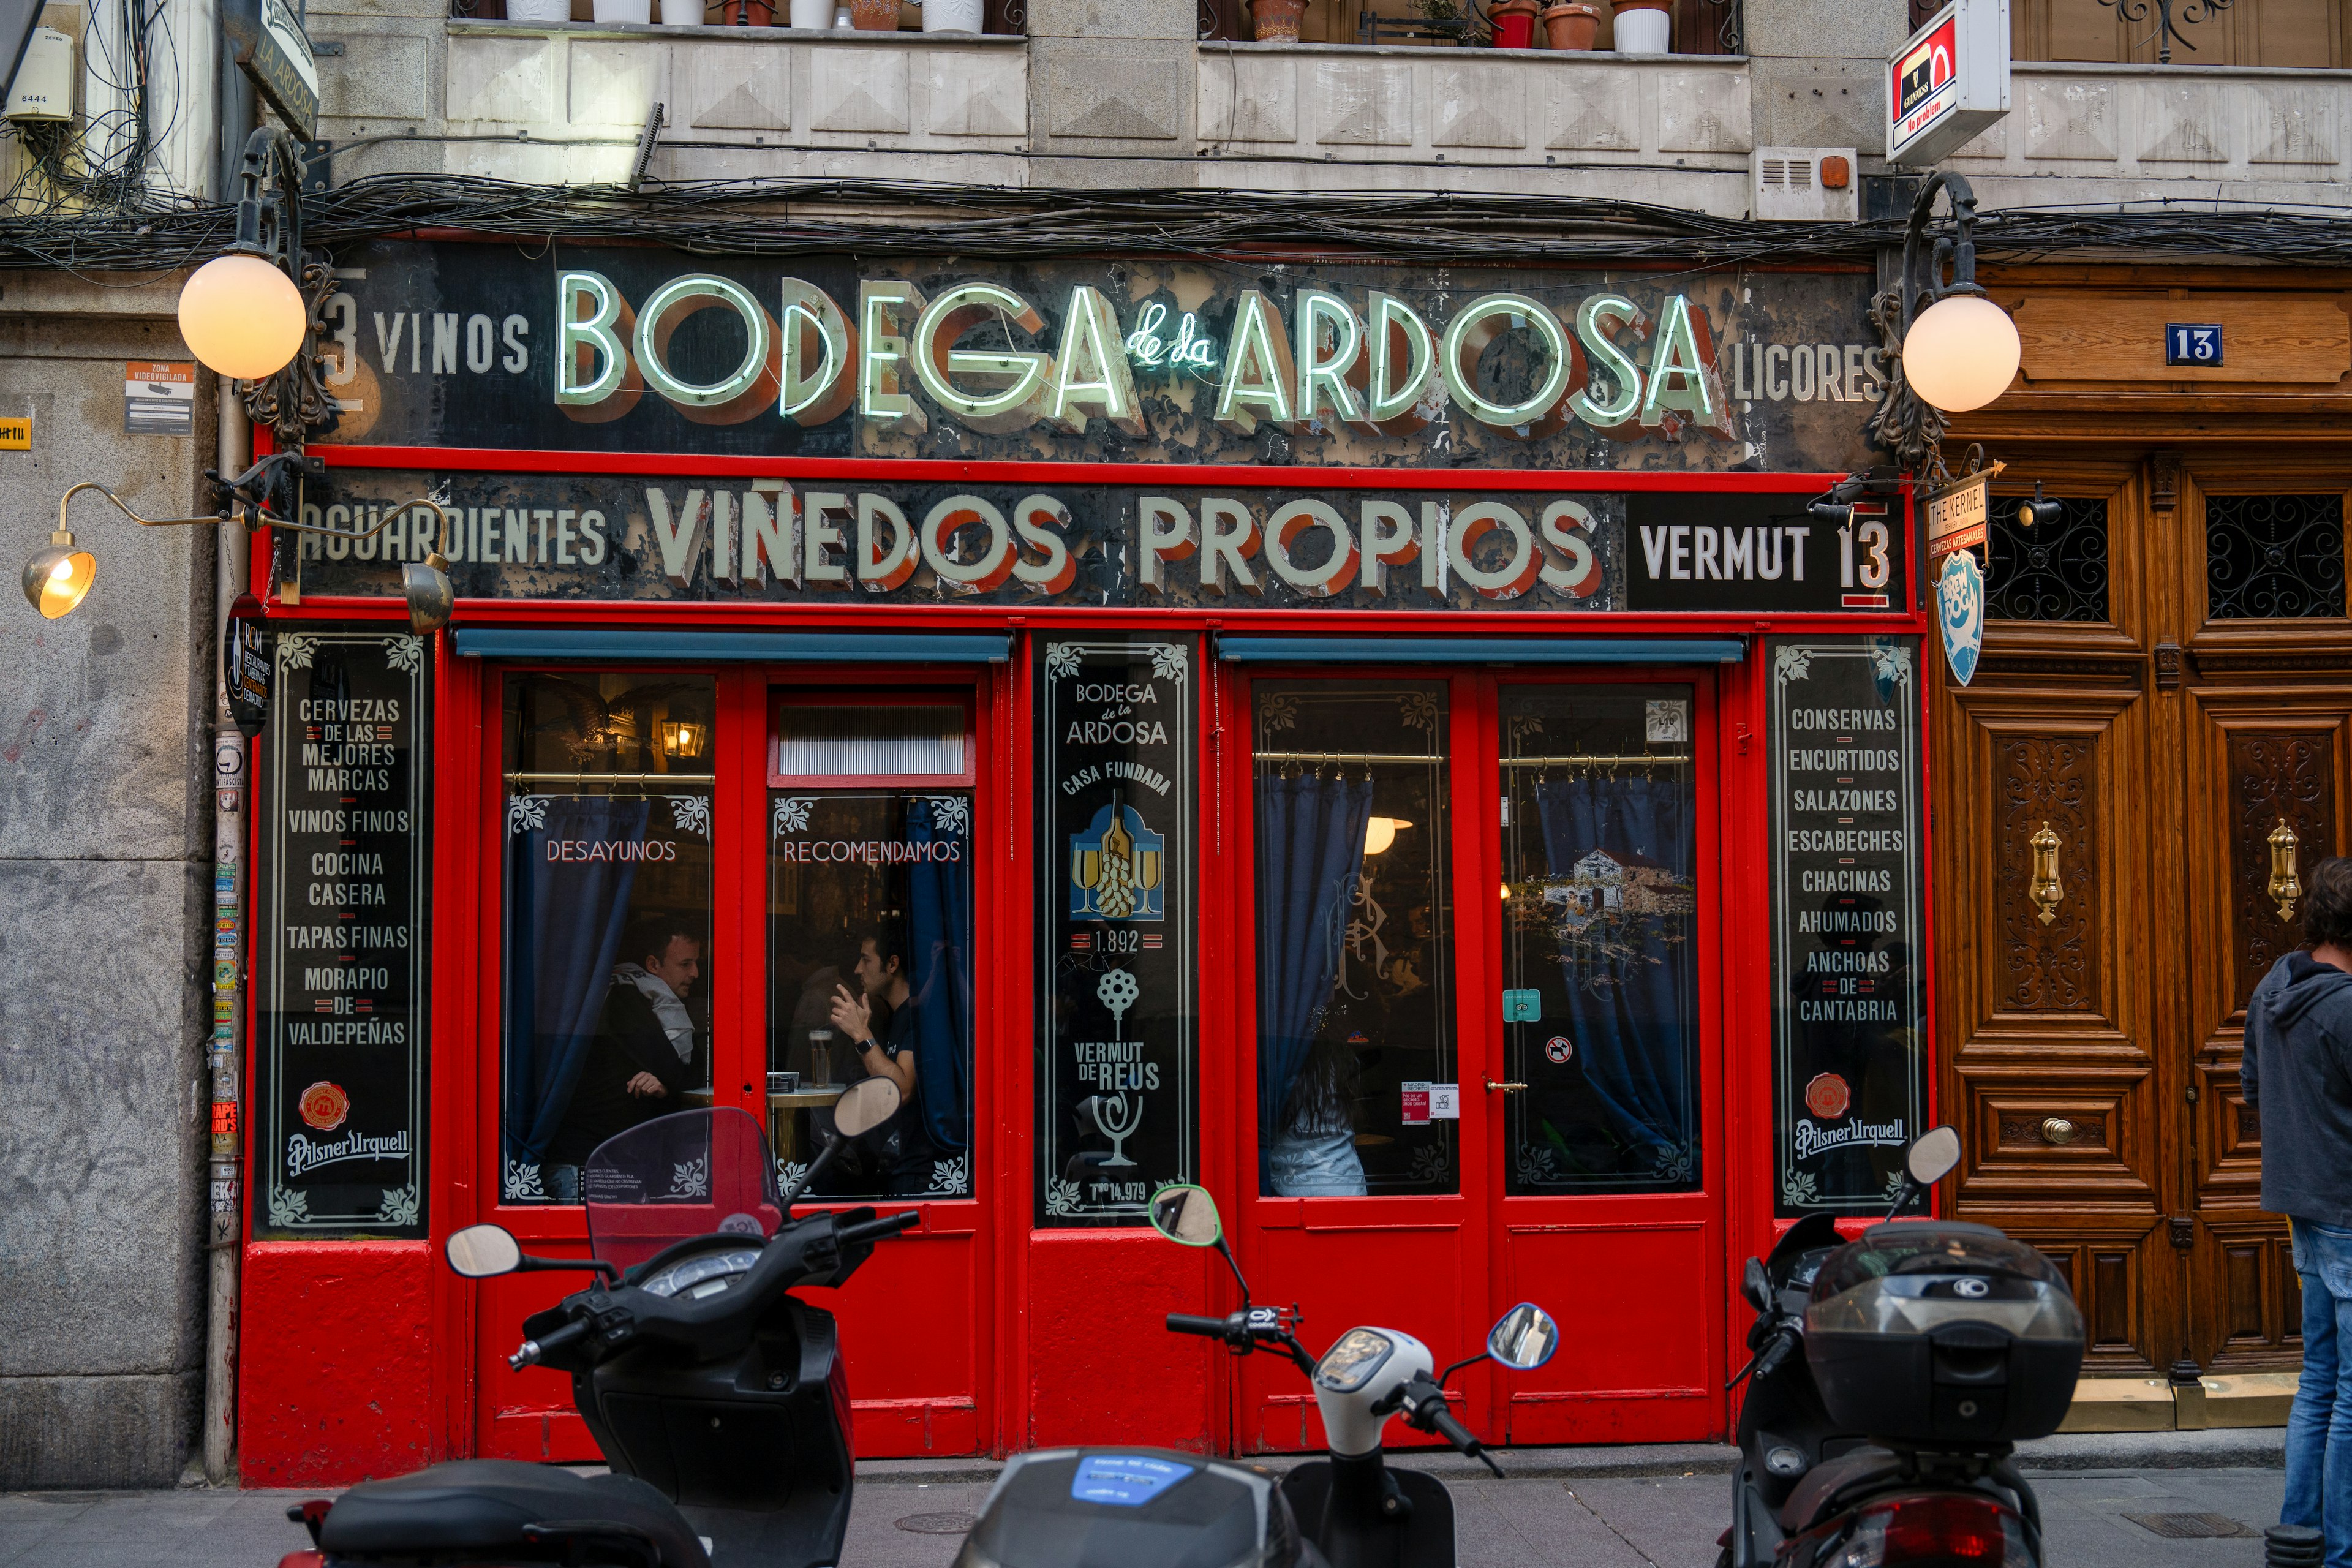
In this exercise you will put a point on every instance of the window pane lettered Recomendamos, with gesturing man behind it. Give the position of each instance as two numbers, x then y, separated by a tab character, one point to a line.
869	913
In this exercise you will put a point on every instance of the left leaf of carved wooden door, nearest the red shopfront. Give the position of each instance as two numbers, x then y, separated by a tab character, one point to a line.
2047	1017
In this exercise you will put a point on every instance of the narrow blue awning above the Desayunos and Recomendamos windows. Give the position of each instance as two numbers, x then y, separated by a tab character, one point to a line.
641	648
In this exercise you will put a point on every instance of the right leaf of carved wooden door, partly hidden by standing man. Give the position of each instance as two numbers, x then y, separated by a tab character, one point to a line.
2261	758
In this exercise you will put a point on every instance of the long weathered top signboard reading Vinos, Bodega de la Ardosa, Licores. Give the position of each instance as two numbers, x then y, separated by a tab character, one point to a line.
636	349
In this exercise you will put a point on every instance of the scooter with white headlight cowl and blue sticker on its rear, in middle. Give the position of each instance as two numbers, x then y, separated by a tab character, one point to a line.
1151	1508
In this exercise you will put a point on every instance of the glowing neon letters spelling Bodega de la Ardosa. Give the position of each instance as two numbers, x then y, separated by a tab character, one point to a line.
1608	363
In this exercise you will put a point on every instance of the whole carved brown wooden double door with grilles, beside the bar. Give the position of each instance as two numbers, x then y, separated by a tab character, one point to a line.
2165	706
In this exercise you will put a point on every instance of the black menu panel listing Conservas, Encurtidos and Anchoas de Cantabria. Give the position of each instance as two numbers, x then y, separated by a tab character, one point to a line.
1847	857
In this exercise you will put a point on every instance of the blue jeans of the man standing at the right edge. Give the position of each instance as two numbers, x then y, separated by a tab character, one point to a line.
2320	1426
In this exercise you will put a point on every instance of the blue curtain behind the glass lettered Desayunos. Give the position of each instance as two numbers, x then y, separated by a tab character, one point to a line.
563	937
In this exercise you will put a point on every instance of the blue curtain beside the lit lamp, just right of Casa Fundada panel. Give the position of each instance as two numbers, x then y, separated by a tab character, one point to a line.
1311	850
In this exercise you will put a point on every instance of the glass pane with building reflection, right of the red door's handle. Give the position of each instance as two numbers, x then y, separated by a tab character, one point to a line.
1598	923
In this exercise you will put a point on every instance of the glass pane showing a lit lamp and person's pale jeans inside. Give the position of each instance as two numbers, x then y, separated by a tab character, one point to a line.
1356	939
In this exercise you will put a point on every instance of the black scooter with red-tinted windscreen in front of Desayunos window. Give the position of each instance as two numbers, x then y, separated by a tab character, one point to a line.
719	1398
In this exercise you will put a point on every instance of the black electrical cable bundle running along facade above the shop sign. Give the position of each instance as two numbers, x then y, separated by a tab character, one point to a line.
874	217
